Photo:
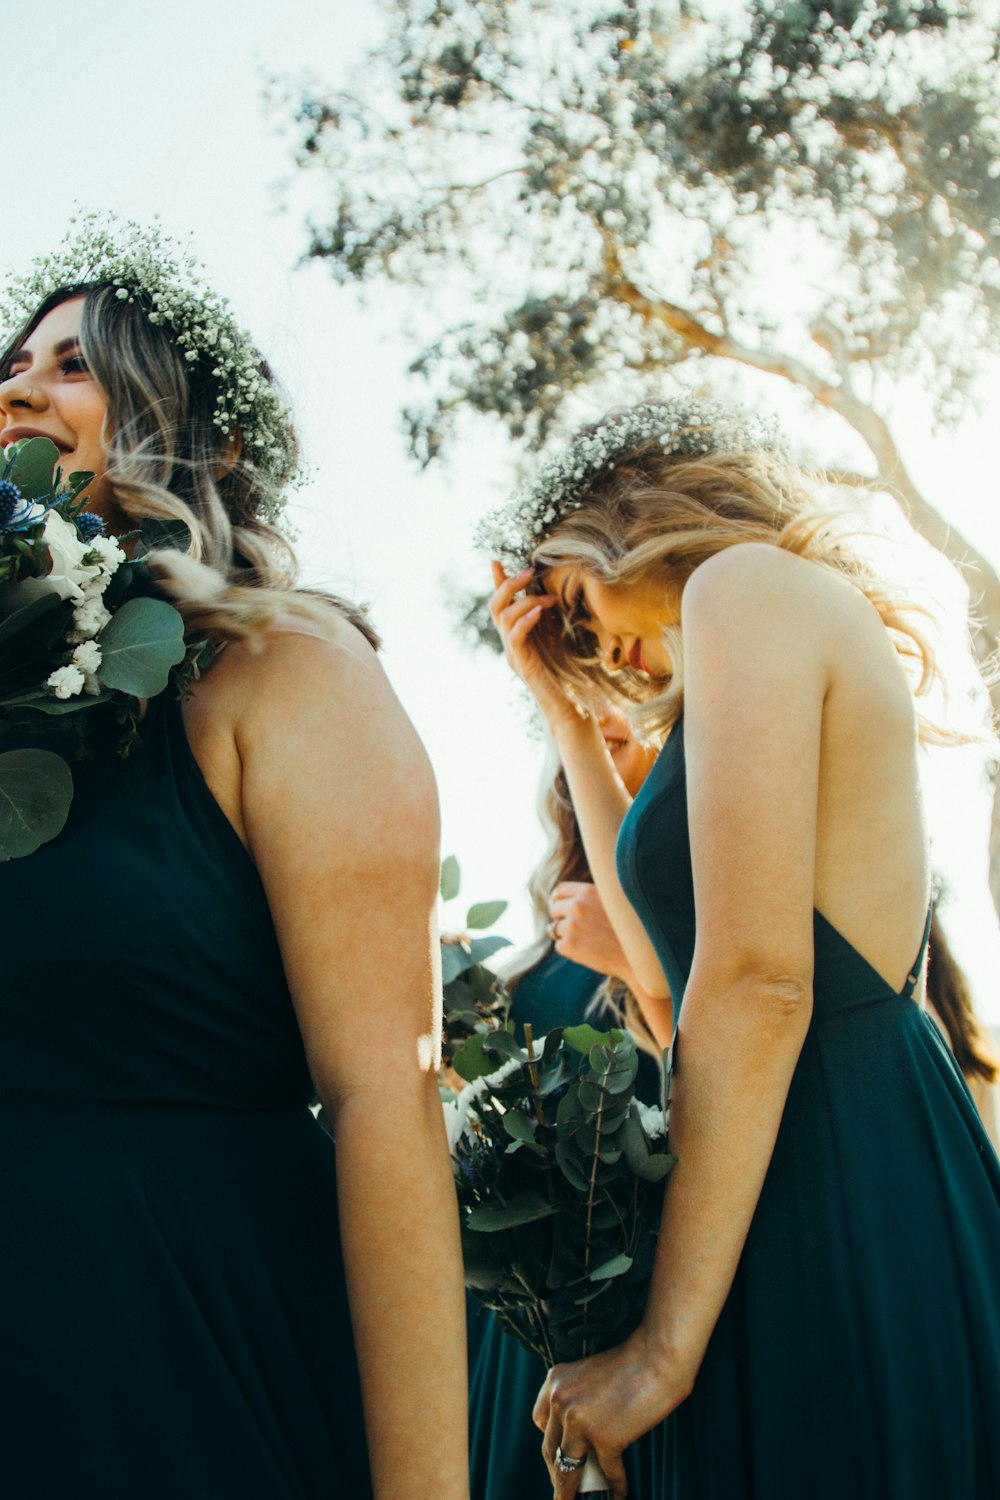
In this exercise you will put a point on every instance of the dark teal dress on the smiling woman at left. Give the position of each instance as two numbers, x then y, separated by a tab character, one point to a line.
173	1310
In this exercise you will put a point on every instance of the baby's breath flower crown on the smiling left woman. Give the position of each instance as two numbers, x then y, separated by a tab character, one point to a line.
166	278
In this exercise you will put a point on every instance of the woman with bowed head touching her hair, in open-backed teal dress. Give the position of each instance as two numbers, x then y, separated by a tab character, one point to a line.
825	1310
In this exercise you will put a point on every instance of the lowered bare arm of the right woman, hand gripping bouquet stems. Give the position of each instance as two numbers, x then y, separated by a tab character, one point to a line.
756	673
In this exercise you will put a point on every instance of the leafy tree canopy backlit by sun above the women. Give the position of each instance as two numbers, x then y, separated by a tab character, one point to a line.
612	182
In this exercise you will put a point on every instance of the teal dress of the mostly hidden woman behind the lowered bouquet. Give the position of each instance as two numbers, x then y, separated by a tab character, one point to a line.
504	1379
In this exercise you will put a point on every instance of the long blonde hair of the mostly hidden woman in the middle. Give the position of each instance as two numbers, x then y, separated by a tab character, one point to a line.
564	860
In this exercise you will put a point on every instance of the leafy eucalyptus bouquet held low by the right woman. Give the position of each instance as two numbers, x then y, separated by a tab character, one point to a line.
560	1180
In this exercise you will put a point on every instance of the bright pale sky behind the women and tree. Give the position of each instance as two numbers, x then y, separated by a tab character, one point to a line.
160	110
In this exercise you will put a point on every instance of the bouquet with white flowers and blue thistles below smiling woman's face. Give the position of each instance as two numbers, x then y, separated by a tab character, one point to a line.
77	631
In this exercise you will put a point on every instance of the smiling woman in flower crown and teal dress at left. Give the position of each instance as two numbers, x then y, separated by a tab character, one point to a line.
202	1297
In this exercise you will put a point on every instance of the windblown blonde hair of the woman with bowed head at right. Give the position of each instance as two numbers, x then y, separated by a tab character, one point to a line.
666	515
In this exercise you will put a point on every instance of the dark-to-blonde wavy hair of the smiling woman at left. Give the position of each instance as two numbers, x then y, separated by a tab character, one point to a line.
170	463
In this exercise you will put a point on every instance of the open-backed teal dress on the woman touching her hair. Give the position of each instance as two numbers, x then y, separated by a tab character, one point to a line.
858	1354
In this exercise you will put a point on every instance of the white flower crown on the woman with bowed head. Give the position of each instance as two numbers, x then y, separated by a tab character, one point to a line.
680	425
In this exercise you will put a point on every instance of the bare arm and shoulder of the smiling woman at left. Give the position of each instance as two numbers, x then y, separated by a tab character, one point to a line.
343	821
